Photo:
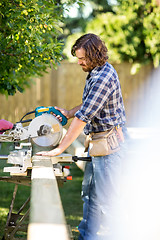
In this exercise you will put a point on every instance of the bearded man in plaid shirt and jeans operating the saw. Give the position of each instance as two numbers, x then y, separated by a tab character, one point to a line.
102	109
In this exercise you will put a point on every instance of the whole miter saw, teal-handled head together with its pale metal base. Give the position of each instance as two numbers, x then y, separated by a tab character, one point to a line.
45	131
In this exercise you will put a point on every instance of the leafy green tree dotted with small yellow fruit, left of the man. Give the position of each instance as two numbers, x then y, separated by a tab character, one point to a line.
29	43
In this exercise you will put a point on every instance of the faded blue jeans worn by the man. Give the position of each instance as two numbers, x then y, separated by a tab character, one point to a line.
100	193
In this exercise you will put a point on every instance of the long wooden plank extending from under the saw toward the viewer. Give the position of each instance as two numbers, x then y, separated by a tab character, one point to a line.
47	219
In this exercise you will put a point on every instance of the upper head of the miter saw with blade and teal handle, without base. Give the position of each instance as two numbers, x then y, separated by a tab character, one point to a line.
44	130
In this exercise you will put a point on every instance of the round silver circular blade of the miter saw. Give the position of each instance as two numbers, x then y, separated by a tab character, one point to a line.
45	130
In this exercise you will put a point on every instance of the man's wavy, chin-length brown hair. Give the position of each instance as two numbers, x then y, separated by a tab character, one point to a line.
95	49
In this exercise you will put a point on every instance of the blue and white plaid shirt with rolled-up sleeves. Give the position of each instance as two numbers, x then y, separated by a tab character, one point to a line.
102	105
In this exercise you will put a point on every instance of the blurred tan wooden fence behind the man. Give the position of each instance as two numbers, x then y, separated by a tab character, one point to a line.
64	87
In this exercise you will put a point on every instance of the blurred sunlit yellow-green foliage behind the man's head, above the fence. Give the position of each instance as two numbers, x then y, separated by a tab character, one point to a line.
131	32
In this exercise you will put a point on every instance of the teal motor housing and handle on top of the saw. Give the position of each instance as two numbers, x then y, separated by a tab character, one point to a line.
40	110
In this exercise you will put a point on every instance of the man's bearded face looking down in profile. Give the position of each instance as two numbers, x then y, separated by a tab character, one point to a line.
80	54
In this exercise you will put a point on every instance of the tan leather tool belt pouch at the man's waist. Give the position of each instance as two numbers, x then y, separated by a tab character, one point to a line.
102	144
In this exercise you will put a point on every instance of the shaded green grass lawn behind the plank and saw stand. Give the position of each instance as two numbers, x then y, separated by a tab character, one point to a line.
70	196
